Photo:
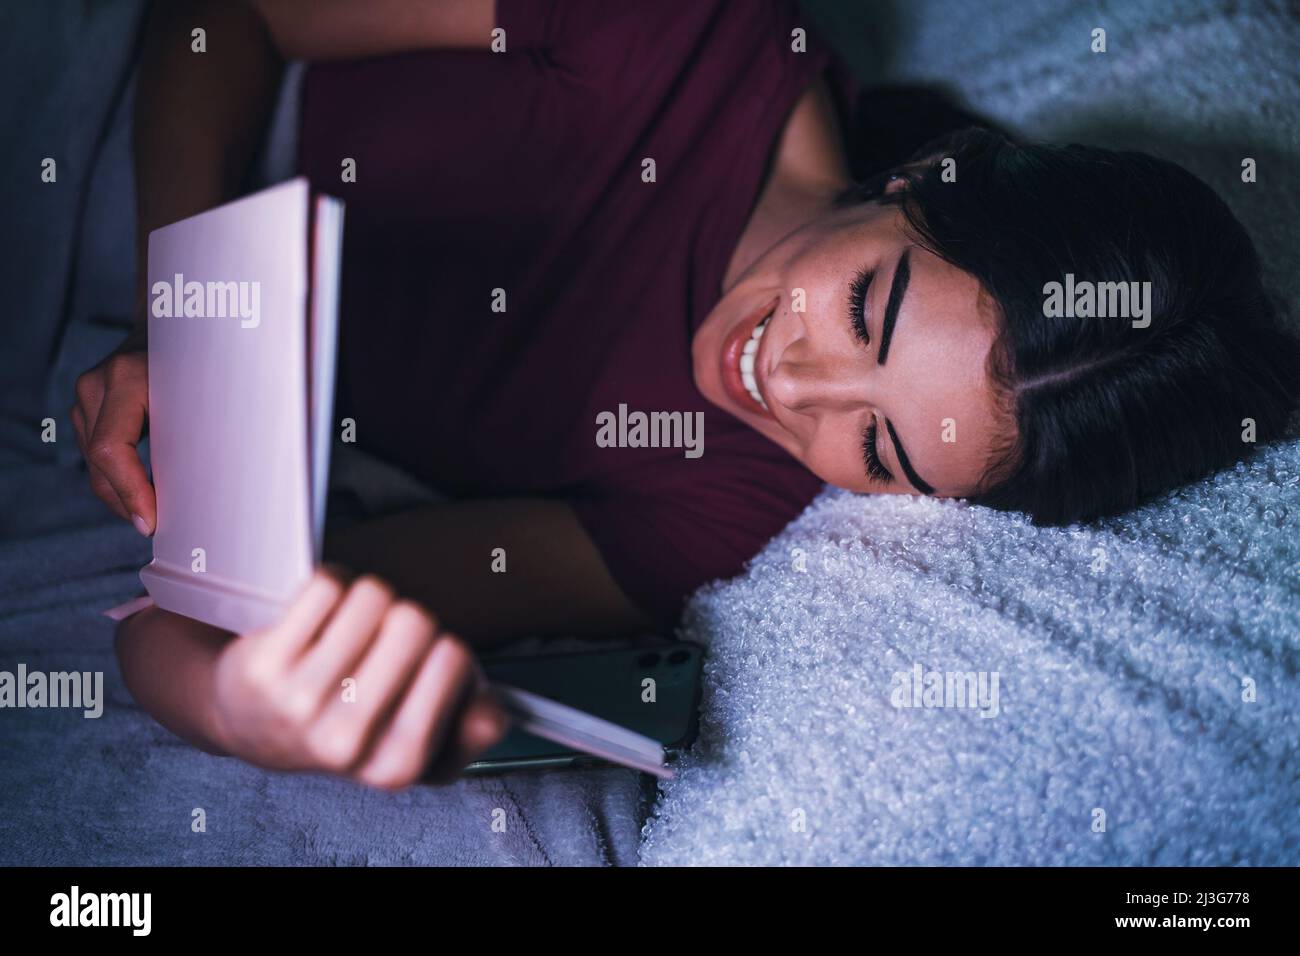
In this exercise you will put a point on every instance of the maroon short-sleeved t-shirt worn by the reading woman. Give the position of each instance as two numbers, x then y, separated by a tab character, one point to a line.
523	172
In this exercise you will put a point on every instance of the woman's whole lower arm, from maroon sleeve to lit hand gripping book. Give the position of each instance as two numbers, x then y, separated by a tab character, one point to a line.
271	698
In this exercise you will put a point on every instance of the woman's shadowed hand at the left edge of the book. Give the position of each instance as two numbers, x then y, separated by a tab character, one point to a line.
112	406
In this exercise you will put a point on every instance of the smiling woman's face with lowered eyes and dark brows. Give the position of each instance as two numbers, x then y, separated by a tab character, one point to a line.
913	383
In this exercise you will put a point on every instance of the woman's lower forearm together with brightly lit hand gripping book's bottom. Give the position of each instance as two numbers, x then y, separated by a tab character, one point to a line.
352	681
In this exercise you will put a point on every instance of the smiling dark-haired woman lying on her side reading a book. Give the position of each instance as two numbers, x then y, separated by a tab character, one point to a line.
639	209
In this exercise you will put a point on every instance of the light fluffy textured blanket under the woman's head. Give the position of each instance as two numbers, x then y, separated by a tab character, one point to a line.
918	682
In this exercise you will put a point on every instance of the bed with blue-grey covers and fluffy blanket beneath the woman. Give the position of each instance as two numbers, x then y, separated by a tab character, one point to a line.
1149	668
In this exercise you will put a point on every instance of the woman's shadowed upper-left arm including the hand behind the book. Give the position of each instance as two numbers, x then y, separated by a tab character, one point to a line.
200	119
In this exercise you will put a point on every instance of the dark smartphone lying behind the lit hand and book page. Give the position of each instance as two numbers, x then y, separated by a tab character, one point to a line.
651	690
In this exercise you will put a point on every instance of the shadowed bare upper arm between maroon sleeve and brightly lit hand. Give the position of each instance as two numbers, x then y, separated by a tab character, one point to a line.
554	579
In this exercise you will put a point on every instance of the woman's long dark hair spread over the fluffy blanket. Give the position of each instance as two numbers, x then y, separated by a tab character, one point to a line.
1108	416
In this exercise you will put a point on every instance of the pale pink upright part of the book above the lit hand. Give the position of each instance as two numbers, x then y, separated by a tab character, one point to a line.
244	323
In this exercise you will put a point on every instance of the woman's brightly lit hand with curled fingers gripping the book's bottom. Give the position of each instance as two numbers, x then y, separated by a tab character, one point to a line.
358	684
